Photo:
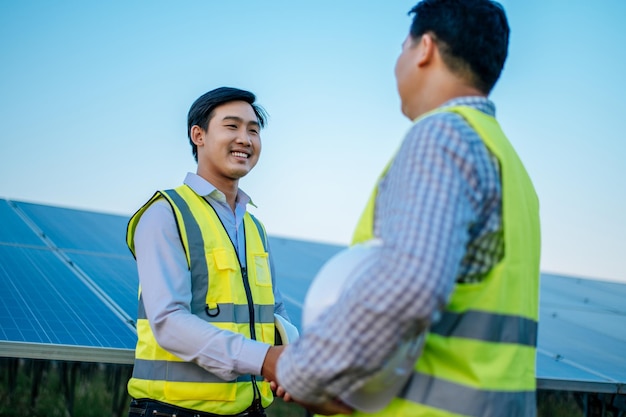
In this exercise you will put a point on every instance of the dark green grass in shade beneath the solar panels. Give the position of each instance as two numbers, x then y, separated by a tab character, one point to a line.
40	388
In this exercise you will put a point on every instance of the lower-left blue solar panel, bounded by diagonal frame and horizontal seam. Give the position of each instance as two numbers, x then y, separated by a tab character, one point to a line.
44	302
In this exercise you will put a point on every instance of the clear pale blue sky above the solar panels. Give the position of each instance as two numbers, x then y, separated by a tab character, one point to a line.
94	97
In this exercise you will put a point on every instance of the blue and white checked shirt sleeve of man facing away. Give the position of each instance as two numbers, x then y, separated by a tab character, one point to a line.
425	208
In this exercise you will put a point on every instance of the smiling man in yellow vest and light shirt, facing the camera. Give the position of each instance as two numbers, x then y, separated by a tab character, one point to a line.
207	294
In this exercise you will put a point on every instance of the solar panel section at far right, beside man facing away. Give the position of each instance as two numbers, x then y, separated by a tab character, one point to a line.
582	322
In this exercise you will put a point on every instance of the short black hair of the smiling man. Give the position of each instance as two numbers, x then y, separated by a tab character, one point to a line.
202	109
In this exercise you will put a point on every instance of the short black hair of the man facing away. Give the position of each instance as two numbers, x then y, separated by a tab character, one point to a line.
472	36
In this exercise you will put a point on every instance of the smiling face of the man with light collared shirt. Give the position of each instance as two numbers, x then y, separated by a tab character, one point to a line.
231	145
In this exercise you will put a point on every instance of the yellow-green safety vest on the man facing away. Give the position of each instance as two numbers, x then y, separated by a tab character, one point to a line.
479	359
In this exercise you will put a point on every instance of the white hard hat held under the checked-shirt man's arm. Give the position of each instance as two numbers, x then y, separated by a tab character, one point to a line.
334	277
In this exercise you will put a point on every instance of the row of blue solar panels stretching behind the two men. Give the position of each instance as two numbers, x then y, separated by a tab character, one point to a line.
68	290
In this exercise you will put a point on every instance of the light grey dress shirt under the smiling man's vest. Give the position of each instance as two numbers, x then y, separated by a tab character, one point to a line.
166	288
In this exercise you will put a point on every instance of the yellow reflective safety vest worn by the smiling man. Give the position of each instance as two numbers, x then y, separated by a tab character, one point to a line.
224	294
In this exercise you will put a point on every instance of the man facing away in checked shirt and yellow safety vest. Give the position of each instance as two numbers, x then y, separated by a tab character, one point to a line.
458	218
